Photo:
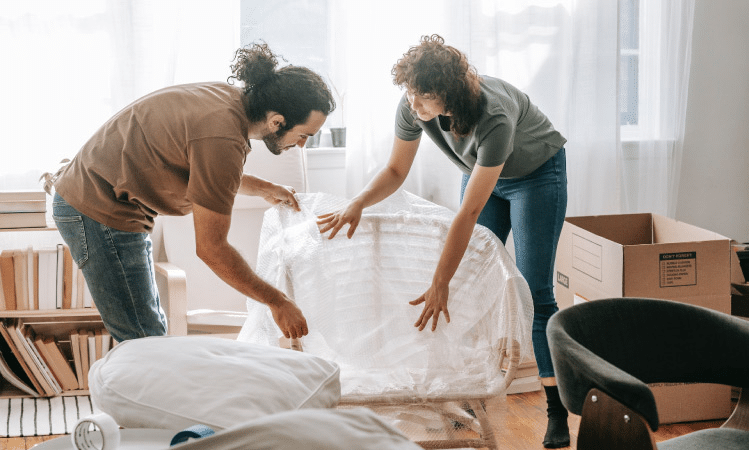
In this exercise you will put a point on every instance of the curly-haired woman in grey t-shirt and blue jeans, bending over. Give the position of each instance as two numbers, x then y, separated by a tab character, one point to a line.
514	178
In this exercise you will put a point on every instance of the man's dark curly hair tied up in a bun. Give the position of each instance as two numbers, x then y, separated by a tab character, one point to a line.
292	91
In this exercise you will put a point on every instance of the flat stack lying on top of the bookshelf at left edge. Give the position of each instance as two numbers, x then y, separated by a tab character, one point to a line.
23	209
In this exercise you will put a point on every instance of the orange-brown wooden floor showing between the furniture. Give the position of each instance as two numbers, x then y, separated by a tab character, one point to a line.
520	425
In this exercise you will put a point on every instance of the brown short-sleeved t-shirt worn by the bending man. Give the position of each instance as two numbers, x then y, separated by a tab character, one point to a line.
173	148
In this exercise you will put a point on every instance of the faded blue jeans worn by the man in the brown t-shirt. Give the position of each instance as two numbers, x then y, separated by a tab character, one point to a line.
118	268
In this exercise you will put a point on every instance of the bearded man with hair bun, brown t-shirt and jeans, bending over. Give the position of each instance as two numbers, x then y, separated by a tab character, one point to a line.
176	151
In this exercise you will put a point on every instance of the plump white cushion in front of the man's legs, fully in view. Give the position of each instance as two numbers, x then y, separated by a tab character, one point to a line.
178	381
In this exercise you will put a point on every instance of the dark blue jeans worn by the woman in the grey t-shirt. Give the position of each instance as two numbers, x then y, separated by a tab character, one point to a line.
533	207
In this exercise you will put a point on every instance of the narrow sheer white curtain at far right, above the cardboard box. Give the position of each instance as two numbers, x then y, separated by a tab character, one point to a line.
654	155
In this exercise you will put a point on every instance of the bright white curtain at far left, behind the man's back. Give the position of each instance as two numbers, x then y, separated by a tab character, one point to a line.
68	66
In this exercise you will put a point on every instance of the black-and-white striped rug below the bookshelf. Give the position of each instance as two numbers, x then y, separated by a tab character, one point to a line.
42	416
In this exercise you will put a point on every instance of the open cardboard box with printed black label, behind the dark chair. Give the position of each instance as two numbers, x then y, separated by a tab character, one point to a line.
650	256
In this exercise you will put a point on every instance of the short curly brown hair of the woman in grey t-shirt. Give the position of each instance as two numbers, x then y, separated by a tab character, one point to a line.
435	69
